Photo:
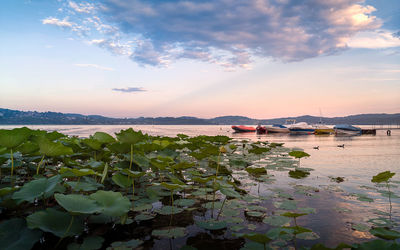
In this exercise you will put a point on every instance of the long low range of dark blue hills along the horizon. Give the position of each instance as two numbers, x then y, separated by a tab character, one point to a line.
15	117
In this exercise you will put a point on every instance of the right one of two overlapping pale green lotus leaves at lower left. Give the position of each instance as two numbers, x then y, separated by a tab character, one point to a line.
111	203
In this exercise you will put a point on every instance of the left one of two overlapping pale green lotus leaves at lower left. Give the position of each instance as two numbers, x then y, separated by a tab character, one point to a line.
77	203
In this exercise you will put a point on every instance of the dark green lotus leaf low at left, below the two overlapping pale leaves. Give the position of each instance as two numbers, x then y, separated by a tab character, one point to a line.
55	222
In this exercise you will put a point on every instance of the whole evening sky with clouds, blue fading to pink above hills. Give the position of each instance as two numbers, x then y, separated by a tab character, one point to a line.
256	58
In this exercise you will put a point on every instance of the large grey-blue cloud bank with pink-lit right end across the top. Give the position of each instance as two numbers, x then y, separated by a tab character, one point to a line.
225	32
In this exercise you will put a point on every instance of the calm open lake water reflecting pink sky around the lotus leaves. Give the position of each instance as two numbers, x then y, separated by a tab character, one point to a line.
337	204
